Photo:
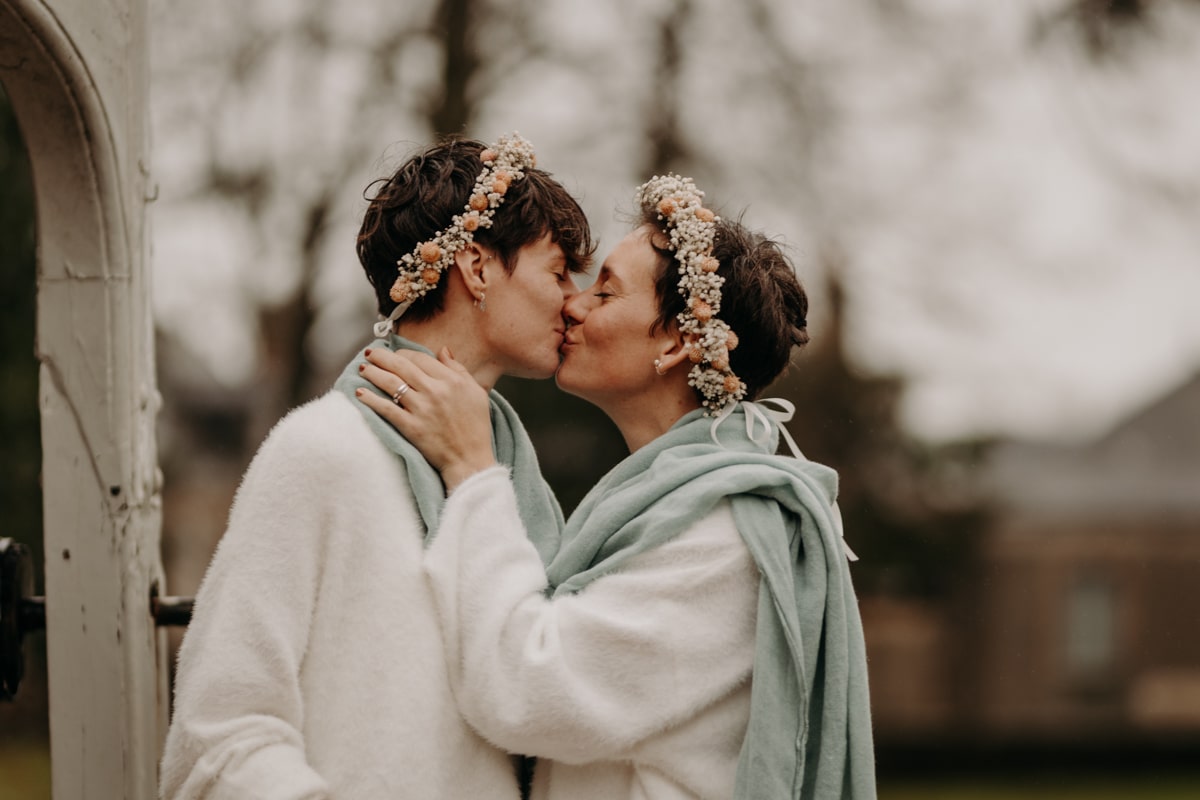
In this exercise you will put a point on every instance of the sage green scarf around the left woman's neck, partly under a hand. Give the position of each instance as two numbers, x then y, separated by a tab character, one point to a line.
539	508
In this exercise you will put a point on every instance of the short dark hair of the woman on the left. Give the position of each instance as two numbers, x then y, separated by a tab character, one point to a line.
419	200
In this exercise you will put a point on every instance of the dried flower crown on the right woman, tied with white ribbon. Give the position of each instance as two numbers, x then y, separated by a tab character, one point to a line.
692	230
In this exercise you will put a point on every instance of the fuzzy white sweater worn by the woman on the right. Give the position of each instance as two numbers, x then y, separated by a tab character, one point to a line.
638	688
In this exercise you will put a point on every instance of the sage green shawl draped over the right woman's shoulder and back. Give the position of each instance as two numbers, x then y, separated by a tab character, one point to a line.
811	730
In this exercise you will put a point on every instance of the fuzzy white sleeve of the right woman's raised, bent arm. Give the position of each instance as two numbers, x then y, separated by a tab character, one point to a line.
587	676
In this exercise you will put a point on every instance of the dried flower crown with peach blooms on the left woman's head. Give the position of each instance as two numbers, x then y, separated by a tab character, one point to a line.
505	164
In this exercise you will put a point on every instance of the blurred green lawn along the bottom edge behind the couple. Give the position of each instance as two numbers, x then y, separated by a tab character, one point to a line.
26	775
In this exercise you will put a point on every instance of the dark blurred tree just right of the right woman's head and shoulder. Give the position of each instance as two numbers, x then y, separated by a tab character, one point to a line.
909	507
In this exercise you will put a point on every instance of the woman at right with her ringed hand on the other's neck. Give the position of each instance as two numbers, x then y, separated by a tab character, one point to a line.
697	633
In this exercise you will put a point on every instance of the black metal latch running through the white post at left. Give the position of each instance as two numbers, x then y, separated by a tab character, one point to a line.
22	613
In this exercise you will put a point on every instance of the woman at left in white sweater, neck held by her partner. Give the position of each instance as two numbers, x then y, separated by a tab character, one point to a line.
314	666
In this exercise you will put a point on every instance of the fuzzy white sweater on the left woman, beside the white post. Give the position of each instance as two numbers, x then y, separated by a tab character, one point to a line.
314	666
